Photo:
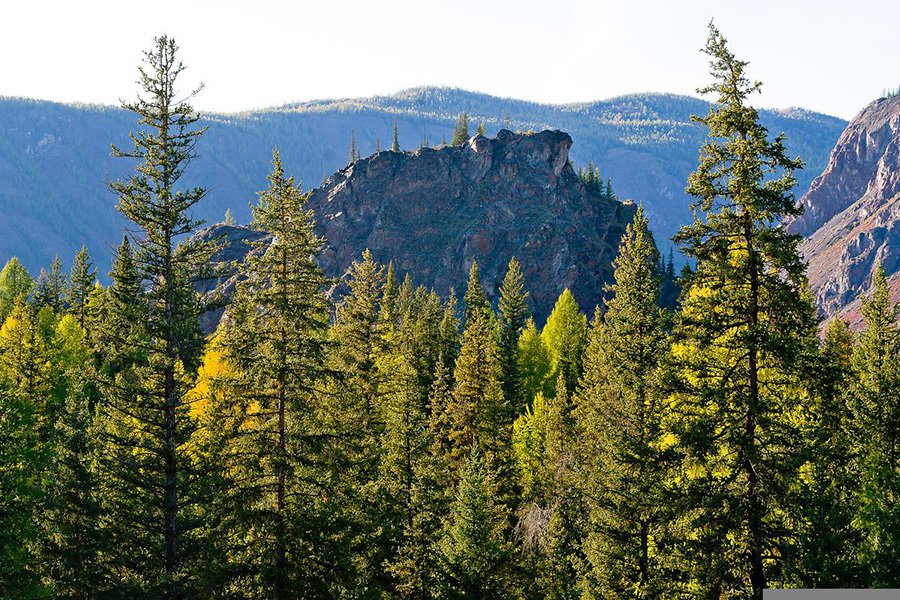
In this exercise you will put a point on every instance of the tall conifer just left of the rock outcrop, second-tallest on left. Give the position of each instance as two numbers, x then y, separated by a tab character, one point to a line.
275	338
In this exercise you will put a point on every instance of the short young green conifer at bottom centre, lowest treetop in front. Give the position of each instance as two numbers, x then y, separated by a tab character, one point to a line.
474	552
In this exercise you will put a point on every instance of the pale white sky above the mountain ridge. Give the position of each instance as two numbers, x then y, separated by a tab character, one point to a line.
831	56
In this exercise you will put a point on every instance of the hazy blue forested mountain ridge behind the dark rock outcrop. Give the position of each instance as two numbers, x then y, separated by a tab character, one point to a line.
54	158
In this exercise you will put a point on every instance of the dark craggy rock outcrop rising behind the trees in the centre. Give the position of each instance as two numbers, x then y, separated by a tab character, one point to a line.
435	211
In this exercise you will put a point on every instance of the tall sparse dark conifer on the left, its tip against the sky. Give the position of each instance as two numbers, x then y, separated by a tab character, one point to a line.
152	480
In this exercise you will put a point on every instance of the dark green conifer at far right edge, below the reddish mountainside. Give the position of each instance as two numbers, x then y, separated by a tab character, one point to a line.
876	411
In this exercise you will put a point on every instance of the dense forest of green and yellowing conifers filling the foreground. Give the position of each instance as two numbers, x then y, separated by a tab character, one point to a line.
700	434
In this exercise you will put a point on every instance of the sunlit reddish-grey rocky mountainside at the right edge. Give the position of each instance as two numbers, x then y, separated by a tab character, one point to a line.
853	209
